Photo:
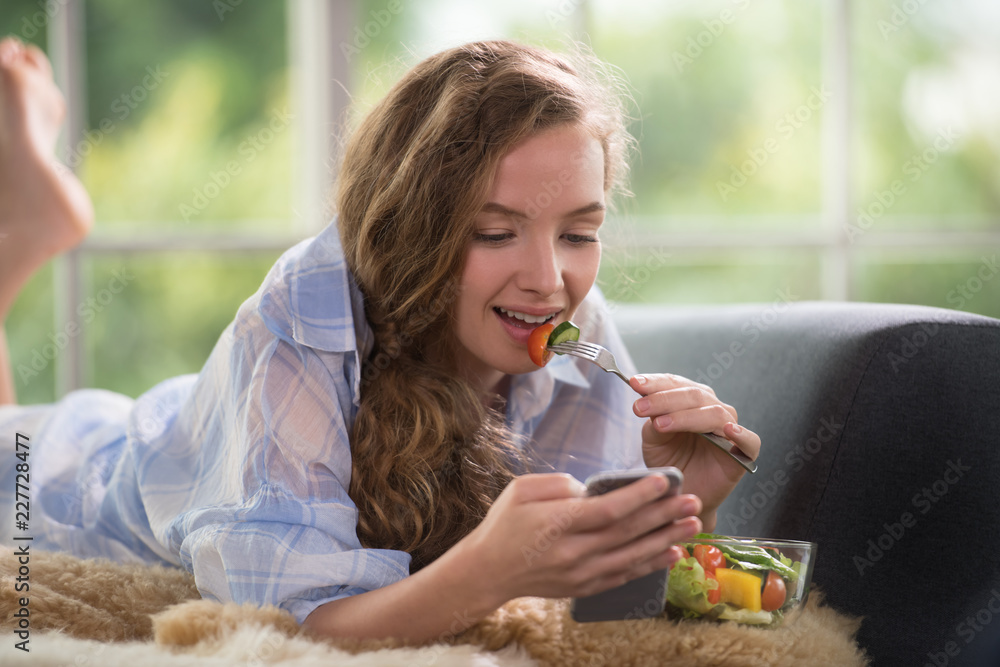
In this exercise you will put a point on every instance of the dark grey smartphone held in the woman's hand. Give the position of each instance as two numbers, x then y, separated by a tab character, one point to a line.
644	597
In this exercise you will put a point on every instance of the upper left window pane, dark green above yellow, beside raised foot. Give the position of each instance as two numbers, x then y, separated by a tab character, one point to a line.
188	117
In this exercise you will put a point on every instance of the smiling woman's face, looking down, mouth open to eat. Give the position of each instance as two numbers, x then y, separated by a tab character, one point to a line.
534	253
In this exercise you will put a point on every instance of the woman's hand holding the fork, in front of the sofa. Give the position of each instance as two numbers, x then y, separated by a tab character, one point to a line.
679	410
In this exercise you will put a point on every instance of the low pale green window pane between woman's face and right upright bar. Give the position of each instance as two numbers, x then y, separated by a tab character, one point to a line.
652	275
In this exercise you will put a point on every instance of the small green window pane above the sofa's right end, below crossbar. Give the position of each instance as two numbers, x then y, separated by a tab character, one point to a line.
967	281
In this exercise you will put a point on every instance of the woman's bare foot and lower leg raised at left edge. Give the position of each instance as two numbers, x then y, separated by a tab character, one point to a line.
44	209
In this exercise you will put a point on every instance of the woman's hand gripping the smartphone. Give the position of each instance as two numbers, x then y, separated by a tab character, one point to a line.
544	537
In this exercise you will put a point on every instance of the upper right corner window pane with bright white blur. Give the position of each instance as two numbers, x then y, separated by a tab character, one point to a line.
928	104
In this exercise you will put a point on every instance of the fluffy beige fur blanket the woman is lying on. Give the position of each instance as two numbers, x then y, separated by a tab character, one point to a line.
95	612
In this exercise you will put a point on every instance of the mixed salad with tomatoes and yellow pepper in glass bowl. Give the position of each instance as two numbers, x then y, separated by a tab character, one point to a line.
733	581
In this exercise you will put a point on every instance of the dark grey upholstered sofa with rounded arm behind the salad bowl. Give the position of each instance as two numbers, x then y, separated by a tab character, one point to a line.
880	427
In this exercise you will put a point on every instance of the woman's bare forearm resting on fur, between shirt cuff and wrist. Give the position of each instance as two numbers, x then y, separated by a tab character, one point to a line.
445	598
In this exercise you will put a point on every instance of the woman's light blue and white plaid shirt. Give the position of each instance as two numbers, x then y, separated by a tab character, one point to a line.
239	474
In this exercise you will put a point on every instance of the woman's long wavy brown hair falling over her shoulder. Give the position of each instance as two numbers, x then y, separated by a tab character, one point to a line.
429	456
